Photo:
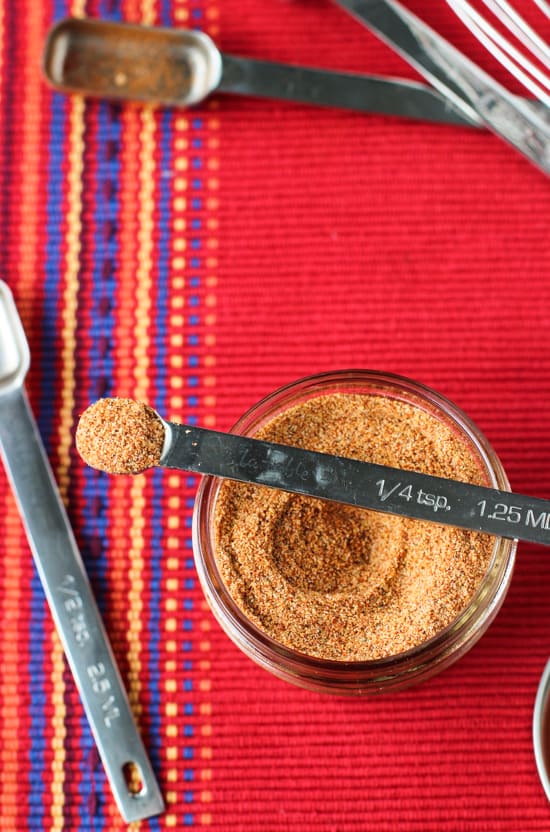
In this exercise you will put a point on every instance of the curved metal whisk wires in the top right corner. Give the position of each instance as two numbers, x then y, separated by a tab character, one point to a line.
514	55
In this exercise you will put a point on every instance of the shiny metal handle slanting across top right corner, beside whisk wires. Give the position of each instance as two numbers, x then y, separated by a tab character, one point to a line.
471	89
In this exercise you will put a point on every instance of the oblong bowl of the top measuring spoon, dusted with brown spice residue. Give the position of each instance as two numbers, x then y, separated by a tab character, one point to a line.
130	62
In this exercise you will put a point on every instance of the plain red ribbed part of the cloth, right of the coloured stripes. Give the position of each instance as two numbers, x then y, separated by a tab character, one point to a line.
349	241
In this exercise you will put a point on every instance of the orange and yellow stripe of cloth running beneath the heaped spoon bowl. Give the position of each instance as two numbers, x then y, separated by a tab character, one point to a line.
131	375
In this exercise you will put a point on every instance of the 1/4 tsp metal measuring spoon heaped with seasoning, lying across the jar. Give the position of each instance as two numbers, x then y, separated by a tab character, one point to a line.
122	436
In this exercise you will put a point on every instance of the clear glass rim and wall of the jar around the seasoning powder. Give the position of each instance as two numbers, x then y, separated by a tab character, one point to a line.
357	677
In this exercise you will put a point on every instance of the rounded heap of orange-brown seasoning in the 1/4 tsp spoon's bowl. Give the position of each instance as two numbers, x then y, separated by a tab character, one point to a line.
120	436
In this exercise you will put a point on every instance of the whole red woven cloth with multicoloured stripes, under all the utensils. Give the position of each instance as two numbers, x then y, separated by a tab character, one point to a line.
198	260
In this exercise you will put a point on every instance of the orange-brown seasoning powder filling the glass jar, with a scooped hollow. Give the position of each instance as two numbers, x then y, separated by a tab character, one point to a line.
342	583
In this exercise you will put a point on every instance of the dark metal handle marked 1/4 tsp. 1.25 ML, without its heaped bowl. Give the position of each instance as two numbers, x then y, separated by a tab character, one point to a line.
357	483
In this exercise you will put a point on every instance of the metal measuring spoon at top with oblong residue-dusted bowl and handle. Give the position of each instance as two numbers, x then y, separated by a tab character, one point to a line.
179	67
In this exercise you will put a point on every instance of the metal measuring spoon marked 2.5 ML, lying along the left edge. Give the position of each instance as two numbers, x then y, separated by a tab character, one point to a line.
65	582
